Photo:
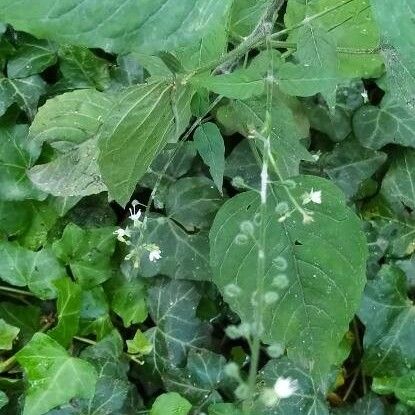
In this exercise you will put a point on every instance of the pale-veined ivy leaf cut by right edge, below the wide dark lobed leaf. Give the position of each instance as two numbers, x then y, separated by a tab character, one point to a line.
398	185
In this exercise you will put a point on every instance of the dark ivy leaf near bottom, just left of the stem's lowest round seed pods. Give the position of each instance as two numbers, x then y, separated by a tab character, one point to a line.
199	380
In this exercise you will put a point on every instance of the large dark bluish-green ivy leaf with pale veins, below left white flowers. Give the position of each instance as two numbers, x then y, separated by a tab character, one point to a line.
172	306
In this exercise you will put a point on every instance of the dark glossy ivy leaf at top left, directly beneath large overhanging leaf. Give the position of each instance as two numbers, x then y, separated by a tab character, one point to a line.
32	56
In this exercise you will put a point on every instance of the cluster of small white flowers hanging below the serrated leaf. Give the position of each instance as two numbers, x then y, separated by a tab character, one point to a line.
126	235
